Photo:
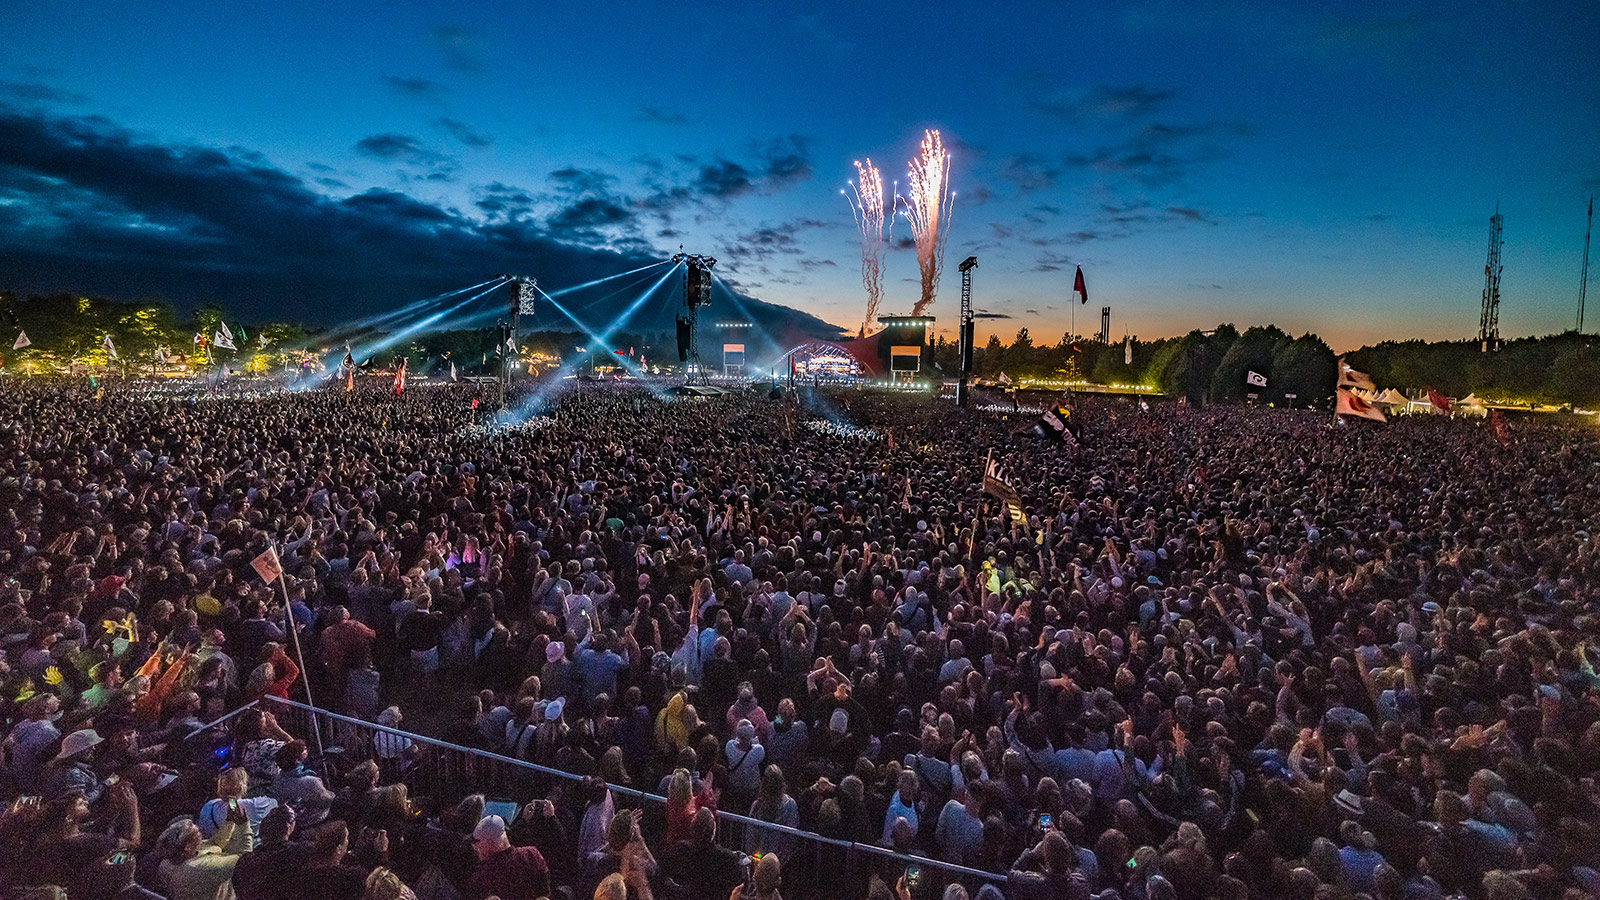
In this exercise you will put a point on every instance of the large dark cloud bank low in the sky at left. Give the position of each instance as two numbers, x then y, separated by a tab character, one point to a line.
92	209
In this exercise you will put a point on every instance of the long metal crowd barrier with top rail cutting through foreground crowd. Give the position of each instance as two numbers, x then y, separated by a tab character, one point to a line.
446	773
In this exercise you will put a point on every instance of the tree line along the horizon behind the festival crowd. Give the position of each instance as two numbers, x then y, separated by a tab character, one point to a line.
70	331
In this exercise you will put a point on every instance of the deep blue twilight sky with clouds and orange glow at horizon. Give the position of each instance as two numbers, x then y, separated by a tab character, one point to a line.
1326	167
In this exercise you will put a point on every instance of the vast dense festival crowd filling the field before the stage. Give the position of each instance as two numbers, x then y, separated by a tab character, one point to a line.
1230	654
